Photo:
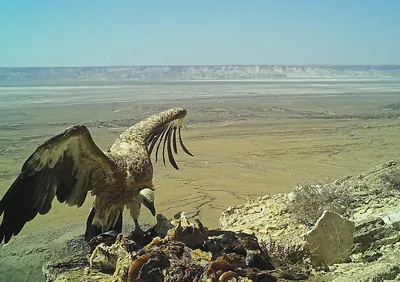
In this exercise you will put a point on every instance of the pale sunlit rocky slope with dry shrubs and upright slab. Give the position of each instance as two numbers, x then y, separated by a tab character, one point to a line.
356	235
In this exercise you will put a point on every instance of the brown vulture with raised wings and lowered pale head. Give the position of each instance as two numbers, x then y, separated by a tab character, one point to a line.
69	165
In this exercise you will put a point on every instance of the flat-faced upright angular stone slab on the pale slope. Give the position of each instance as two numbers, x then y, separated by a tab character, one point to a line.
331	239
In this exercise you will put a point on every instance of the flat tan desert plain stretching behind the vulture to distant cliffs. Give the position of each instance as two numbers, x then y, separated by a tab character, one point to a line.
249	139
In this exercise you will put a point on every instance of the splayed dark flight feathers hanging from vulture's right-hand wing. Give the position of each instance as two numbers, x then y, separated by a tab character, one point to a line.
167	135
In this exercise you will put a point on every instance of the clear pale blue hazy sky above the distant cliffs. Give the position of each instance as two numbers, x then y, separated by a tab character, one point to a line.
168	32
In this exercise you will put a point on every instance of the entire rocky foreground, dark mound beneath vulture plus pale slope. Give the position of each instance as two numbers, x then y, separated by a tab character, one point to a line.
347	230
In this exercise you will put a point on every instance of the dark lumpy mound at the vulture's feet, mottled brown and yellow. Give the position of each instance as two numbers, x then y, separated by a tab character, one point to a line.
188	252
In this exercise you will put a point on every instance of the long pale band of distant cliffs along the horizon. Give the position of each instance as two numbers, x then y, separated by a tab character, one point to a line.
214	72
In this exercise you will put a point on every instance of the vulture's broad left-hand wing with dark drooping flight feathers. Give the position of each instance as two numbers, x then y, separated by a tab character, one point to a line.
66	166
